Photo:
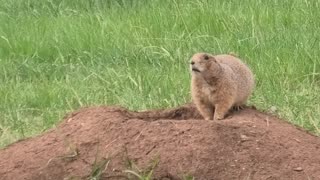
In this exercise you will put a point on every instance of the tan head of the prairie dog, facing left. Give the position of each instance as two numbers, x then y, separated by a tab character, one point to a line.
202	62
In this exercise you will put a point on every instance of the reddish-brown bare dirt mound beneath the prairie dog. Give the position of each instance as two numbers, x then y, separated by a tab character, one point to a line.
108	142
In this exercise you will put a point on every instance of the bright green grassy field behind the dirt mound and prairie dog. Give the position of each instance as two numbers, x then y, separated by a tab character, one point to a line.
59	55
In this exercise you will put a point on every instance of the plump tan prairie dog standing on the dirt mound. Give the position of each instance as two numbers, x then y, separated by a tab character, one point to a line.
219	83
